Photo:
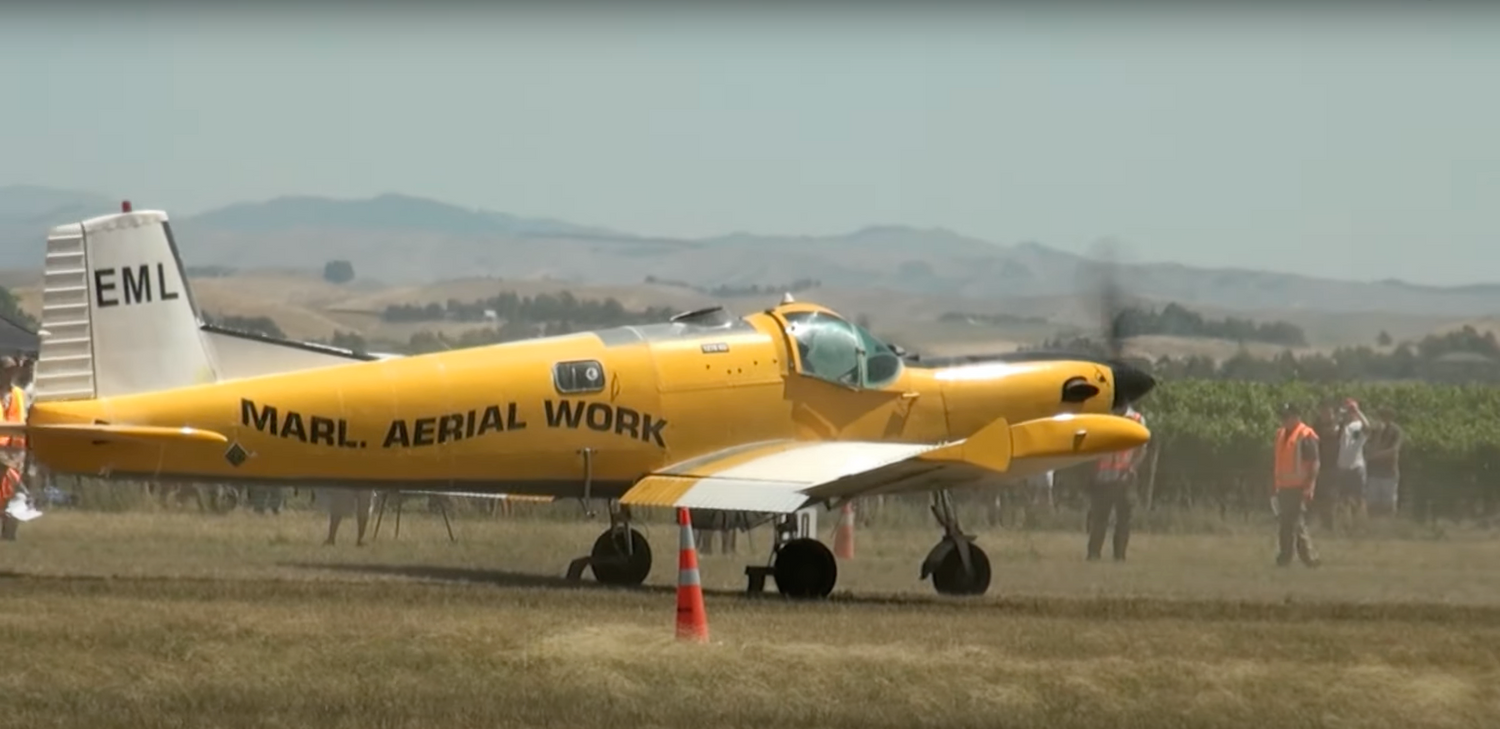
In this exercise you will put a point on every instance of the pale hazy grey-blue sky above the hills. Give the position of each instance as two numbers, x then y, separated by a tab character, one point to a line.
1357	145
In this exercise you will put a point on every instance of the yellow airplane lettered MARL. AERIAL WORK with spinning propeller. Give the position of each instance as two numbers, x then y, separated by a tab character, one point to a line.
782	410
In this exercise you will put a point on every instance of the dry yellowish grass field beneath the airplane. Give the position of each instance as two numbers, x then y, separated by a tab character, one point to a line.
185	620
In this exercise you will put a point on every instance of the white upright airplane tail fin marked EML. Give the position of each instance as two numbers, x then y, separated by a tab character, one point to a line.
118	316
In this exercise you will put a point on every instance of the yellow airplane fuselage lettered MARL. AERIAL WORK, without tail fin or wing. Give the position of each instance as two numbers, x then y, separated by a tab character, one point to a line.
547	416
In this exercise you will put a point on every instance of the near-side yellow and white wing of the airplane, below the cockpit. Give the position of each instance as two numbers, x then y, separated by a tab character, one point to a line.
785	476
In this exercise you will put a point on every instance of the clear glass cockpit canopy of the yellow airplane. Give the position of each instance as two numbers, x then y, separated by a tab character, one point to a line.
835	350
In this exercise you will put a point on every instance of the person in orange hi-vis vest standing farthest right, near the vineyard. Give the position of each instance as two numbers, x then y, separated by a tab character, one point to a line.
1295	479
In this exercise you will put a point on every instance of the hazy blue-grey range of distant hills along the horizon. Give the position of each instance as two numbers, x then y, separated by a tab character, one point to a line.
415	242
